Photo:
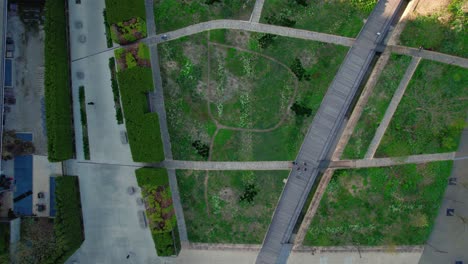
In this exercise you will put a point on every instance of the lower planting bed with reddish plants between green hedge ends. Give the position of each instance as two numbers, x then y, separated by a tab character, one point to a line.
159	209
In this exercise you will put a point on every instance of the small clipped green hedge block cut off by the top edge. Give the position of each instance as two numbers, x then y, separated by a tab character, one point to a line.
123	10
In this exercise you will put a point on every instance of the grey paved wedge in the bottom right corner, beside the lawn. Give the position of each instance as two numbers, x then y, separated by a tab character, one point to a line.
449	238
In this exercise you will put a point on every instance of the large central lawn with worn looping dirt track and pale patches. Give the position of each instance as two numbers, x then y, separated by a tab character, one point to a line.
252	86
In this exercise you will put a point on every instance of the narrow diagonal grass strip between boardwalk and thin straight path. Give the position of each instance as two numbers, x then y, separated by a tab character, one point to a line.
376	106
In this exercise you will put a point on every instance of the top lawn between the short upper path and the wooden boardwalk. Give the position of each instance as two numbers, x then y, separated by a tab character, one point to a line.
344	18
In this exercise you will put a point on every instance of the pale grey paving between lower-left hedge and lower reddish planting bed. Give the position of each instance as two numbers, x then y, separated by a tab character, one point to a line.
110	216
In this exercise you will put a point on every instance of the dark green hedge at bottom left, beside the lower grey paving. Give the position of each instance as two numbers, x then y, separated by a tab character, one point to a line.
68	221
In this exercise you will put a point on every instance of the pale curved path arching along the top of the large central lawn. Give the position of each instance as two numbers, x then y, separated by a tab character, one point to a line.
253	27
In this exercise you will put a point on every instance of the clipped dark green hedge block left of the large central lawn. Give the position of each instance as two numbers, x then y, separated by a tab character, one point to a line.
142	126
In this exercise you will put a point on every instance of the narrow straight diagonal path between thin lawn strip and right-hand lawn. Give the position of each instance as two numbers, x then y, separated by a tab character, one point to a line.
392	108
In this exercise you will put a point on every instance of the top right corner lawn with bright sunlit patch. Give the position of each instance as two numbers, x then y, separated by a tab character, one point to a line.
445	31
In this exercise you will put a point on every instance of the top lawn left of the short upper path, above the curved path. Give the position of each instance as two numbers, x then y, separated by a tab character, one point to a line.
174	14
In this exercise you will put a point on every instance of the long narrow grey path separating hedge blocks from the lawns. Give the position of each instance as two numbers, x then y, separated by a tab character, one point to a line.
157	102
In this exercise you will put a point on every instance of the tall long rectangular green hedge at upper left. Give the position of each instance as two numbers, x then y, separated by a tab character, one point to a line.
57	89
